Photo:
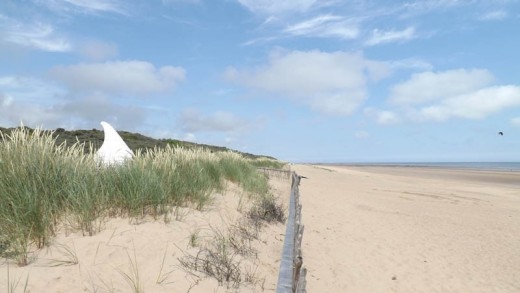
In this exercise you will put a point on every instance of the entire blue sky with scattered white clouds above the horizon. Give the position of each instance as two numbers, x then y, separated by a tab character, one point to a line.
300	80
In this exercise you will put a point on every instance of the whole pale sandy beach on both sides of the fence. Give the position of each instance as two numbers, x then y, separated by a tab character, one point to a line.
367	229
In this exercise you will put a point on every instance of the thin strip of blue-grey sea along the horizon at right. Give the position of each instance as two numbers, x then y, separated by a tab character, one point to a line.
487	166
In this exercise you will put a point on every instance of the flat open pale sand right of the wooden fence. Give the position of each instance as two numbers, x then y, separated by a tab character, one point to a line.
404	229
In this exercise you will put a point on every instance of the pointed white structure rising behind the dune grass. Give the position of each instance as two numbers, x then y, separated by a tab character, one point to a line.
114	150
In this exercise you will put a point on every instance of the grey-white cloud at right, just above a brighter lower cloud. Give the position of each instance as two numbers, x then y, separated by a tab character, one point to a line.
431	86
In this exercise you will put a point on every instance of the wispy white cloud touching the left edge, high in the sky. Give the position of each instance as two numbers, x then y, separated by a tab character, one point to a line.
40	36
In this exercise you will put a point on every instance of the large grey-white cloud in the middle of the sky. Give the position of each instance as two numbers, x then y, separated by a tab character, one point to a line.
332	83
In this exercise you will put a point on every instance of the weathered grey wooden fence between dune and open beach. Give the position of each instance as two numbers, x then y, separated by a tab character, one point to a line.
291	278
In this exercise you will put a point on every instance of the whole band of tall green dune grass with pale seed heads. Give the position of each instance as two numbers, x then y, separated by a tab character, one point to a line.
43	185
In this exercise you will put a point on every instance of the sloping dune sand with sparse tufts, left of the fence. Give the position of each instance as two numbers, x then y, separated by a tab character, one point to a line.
154	248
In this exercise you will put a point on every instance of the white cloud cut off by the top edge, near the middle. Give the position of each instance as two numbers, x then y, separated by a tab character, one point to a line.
277	6
